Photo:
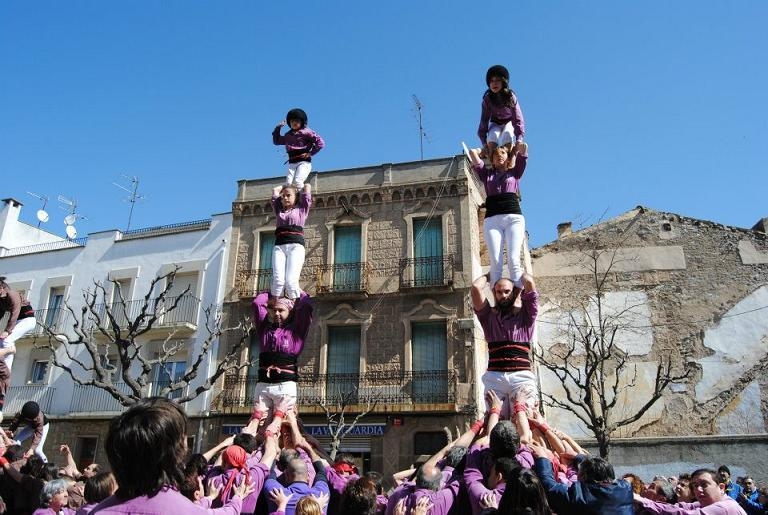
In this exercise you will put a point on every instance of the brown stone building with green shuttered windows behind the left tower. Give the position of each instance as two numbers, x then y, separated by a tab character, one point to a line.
392	320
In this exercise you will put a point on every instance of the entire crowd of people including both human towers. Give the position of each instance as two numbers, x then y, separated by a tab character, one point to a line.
509	461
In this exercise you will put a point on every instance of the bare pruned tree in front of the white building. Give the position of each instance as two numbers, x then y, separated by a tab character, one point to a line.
117	331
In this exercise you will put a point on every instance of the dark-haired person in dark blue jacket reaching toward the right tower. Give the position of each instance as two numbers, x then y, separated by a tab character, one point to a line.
595	491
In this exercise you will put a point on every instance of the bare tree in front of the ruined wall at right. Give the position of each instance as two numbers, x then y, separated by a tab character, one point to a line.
587	359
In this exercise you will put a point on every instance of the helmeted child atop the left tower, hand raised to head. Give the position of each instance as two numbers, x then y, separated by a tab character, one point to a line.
301	143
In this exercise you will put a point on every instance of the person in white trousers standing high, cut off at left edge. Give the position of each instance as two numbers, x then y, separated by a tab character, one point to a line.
21	321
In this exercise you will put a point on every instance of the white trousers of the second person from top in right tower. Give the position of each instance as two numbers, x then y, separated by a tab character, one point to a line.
504	229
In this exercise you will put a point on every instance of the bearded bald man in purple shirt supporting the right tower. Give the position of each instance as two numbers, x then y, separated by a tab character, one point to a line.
508	329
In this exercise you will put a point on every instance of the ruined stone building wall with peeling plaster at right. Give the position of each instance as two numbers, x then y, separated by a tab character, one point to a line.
695	292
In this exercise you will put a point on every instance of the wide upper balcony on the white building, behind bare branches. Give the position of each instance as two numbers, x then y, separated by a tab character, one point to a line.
183	319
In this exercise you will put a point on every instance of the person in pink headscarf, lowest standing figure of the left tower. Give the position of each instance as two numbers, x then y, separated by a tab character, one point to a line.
281	326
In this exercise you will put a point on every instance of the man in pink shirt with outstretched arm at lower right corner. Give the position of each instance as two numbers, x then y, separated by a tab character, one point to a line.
711	498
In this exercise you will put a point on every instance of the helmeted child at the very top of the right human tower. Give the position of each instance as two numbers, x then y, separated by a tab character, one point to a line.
501	120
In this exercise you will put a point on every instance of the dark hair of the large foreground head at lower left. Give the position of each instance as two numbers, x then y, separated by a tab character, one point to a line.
146	447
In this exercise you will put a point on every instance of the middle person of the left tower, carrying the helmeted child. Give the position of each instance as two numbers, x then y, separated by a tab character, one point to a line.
291	210
